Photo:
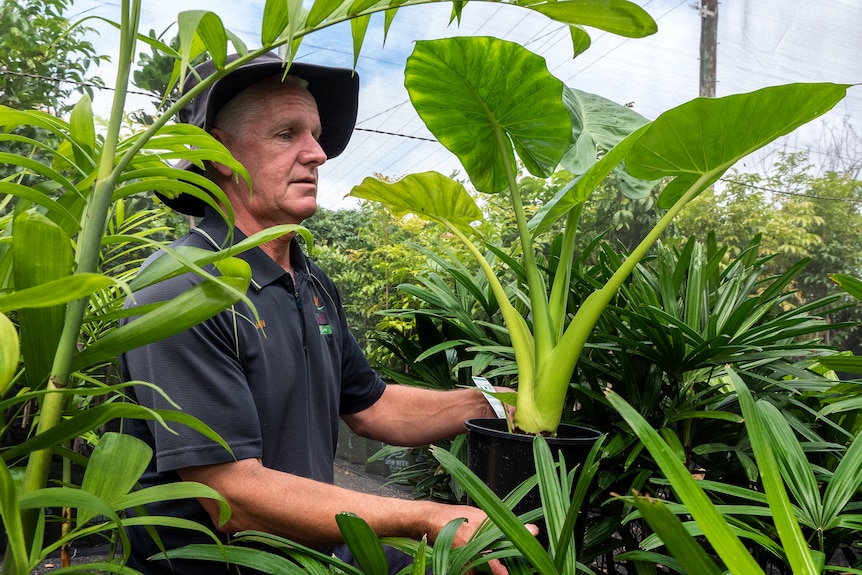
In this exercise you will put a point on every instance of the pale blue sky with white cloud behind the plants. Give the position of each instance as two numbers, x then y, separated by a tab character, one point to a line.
761	43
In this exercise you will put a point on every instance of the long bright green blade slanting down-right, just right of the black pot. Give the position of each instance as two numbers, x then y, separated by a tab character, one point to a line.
715	527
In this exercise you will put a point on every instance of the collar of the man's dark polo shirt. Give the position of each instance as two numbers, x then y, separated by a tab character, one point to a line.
264	270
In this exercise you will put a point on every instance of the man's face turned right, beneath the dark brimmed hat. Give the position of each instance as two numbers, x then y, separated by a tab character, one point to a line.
278	146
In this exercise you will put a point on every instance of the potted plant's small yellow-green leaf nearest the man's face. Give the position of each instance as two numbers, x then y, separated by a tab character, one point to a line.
429	195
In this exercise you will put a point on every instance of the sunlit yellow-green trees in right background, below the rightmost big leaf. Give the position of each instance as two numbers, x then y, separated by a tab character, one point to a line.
797	214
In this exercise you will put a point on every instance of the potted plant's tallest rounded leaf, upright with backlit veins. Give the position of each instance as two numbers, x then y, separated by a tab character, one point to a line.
481	95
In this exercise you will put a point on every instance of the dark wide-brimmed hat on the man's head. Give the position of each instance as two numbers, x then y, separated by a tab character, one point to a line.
336	91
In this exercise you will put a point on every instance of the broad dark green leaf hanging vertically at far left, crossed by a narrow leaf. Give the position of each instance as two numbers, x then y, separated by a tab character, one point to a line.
34	236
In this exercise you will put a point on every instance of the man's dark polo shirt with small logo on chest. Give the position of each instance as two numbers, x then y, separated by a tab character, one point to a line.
273	391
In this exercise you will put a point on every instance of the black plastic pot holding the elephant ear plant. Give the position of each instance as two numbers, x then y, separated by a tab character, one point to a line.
503	460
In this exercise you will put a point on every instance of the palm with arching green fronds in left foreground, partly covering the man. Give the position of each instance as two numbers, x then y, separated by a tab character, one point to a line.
51	307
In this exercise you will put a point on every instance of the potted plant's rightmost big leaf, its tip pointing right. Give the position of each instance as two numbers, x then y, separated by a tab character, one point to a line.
703	138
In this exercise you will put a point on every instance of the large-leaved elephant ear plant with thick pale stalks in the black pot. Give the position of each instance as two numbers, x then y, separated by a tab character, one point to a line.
494	103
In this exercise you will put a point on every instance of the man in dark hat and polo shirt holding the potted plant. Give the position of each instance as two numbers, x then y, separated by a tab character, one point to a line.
276	394
